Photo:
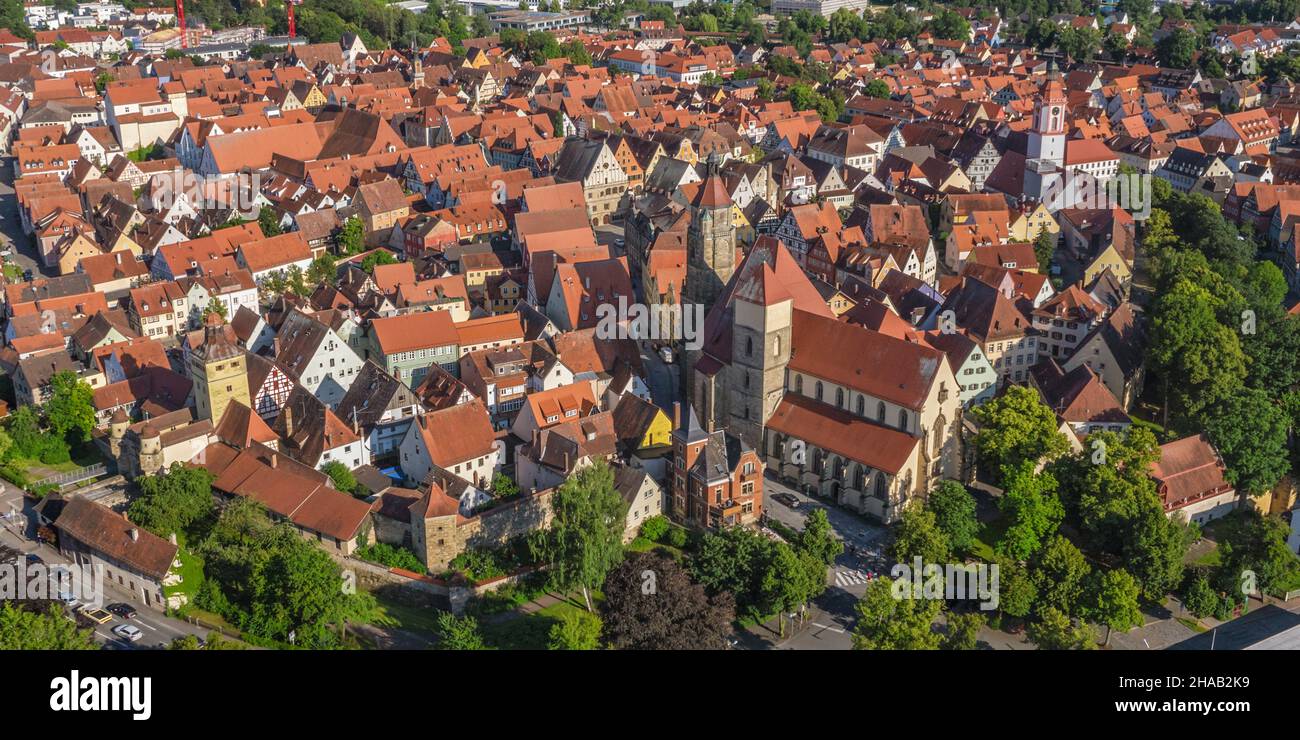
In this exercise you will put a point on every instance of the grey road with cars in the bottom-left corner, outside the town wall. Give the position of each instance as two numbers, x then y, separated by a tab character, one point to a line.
159	630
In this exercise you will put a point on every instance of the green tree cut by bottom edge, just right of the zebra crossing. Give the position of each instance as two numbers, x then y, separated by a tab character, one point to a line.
887	622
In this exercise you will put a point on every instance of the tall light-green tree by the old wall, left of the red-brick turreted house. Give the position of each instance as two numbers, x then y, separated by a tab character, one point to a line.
587	531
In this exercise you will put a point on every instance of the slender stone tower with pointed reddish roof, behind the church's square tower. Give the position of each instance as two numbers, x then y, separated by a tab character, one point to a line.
710	243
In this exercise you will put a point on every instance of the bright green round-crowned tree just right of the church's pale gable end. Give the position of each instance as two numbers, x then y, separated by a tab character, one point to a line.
1016	427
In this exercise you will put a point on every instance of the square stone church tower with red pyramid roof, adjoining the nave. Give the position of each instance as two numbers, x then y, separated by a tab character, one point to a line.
761	347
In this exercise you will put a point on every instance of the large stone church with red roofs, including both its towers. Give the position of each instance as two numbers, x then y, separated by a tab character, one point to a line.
834	409
